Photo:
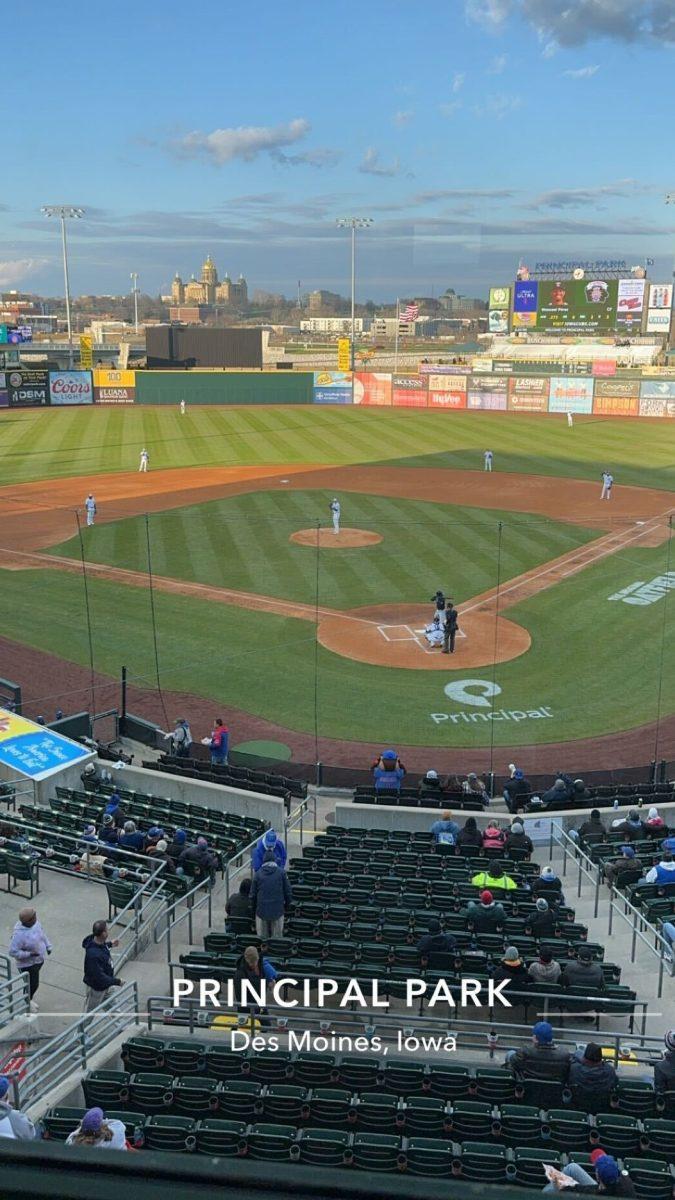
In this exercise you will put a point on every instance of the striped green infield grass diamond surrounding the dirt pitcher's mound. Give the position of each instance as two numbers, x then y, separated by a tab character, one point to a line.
243	543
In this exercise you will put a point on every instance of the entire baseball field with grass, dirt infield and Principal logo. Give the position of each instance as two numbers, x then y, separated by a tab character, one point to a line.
217	579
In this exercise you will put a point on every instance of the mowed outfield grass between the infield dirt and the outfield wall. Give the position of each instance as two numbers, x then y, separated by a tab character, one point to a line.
74	442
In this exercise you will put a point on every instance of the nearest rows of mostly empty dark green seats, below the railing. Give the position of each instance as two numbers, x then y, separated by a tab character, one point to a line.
371	1114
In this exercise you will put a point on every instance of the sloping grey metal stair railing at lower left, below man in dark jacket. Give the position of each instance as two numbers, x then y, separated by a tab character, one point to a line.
74	1049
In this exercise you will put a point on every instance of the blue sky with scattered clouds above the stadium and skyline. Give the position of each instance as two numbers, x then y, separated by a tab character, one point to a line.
474	133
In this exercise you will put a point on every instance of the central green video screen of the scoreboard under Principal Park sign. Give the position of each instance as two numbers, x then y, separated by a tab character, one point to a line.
577	307
